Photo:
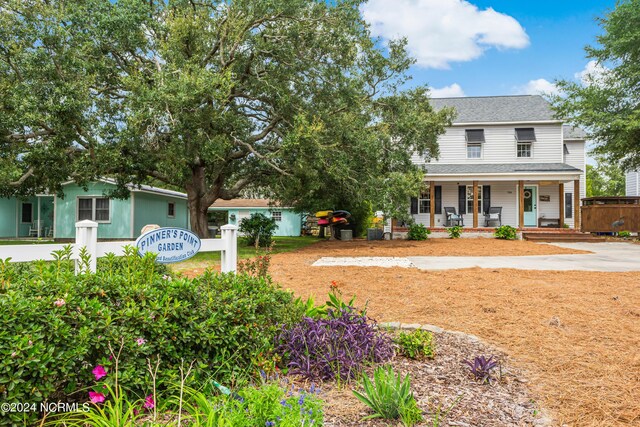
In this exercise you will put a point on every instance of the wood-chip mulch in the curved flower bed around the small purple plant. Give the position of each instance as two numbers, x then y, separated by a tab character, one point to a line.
439	382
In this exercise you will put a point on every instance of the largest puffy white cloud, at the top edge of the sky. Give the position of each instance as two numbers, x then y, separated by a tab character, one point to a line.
440	32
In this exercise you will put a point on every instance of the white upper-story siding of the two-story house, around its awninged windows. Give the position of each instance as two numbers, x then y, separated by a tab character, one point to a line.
500	145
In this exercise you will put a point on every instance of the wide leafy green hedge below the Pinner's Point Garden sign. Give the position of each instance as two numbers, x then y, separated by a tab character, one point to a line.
55	326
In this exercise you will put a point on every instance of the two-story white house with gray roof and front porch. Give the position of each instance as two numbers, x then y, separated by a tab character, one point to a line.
505	159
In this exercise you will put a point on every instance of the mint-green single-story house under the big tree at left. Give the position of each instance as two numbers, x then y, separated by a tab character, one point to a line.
54	217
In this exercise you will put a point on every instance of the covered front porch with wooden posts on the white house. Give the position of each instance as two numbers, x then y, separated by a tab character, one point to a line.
543	199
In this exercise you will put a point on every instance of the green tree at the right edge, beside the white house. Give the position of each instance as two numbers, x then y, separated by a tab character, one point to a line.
607	104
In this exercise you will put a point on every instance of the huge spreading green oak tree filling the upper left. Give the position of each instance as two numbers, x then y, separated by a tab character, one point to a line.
290	97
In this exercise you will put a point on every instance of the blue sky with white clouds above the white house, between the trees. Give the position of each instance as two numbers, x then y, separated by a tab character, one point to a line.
491	47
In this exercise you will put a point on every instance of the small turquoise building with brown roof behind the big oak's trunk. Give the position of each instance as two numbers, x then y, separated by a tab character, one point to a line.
235	210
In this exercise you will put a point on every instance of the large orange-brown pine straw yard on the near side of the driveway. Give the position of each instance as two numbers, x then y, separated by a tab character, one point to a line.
576	334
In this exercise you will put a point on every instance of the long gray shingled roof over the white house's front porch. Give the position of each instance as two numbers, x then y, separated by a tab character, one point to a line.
444	169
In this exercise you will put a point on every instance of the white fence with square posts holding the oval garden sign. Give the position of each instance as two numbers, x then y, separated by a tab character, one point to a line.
87	236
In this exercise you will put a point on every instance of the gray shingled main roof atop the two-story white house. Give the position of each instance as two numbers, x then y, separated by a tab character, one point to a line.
486	109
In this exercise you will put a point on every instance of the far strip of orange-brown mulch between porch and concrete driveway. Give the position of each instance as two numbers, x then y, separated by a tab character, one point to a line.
476	246
